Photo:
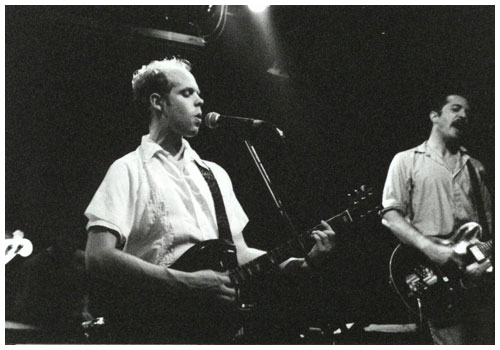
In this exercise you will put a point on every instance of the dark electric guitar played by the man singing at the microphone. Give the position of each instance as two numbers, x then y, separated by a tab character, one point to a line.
219	255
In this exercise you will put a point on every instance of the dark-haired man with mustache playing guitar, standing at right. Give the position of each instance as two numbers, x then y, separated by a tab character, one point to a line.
429	192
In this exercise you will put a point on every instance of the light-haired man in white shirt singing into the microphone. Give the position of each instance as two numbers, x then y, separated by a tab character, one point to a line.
152	206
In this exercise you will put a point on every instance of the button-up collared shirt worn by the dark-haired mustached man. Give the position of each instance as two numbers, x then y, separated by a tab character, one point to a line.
432	197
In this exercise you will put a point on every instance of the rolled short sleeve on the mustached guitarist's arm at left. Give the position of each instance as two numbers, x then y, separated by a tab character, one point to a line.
396	194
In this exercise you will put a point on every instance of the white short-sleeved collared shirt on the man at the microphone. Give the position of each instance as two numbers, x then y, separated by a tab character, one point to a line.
160	204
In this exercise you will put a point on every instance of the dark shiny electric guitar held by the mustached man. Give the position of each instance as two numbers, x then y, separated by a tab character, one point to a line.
438	290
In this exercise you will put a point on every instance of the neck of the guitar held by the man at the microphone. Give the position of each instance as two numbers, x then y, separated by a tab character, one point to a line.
299	245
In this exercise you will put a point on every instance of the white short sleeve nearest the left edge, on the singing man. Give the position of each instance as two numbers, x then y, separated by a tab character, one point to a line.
113	204
